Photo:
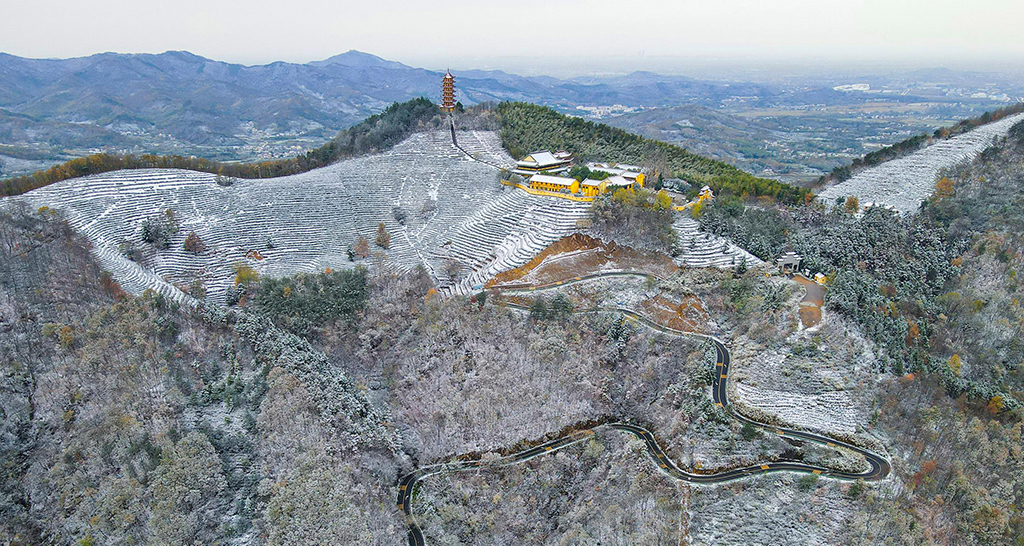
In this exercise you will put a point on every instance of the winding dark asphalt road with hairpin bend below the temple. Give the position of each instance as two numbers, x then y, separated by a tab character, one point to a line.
879	467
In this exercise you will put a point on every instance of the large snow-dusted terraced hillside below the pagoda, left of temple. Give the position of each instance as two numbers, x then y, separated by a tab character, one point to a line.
307	223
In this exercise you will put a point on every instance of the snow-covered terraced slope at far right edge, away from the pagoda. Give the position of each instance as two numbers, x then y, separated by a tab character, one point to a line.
905	183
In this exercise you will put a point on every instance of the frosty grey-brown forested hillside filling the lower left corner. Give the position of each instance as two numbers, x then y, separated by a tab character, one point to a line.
129	421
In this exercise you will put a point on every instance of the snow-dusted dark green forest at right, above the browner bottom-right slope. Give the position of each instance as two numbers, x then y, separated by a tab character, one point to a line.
938	290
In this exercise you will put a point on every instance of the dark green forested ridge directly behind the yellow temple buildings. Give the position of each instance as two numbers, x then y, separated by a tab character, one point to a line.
529	128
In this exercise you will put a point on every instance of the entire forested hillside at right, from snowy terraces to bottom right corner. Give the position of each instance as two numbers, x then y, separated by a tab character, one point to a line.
940	295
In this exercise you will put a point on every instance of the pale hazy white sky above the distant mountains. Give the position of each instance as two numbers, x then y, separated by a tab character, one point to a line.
463	33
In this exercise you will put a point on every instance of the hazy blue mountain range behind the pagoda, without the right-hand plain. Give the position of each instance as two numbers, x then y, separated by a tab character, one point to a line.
179	102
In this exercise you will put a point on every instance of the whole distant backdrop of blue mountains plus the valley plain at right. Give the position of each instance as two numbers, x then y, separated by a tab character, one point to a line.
179	103
